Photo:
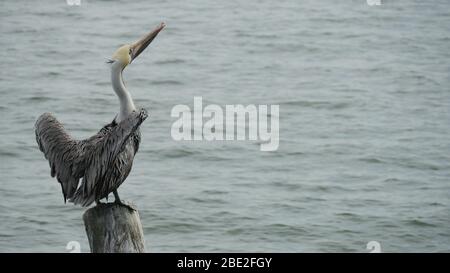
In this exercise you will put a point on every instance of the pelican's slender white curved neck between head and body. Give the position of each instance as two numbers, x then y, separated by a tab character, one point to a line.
126	102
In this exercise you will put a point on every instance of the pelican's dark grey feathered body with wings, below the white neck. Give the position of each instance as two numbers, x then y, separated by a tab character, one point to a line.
102	162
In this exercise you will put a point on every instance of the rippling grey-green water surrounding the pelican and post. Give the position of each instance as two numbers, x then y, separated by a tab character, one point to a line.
364	101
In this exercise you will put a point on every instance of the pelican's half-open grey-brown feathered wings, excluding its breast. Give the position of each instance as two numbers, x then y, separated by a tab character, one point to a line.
72	159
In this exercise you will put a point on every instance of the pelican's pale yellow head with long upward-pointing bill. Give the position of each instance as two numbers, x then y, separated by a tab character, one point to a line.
127	53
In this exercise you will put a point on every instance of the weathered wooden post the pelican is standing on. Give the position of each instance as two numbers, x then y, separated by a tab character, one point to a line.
114	228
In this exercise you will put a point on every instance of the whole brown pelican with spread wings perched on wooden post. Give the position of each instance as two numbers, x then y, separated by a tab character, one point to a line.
104	160
